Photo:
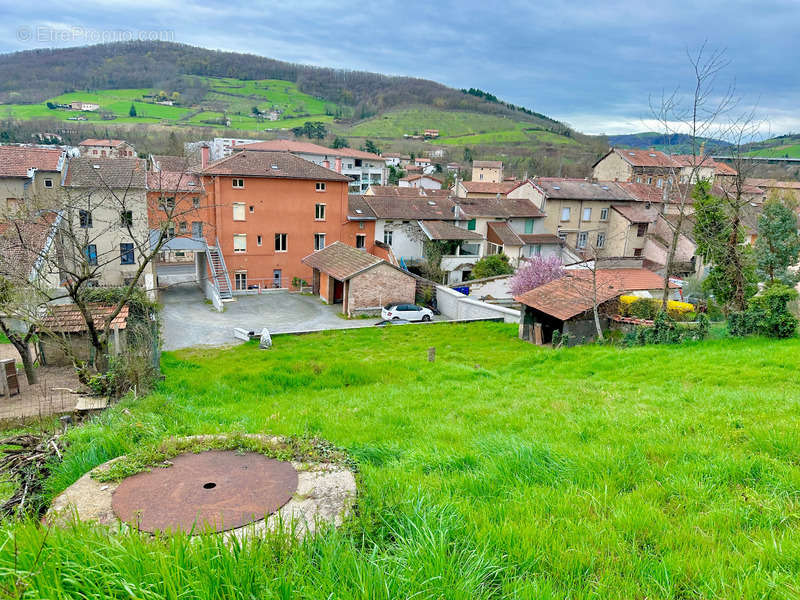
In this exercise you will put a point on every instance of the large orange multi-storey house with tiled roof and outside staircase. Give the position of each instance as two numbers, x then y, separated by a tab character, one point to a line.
270	210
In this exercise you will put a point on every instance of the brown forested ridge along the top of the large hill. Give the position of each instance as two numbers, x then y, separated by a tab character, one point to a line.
35	75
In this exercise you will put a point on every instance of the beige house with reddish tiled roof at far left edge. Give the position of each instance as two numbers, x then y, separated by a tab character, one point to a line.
30	178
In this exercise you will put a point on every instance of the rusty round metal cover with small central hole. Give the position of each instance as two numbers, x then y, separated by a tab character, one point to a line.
214	490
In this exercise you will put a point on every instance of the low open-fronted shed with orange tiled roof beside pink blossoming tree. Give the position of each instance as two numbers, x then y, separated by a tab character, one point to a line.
566	305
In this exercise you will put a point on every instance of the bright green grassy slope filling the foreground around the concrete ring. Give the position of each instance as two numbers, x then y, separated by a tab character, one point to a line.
500	471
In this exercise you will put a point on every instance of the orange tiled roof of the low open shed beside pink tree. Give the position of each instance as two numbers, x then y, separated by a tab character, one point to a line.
573	294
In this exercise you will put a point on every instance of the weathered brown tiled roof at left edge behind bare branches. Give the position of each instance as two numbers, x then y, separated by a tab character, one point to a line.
22	243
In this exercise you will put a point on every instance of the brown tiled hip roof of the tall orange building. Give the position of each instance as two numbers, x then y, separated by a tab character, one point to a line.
279	165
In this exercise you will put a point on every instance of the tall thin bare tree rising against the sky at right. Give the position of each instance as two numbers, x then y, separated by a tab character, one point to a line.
700	115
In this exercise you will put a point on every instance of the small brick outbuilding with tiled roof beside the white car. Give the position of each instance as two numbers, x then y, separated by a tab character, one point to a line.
361	282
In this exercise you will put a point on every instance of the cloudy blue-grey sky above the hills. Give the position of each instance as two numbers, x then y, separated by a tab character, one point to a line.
591	64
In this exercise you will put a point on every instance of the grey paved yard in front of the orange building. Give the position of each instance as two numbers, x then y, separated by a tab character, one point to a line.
189	321
